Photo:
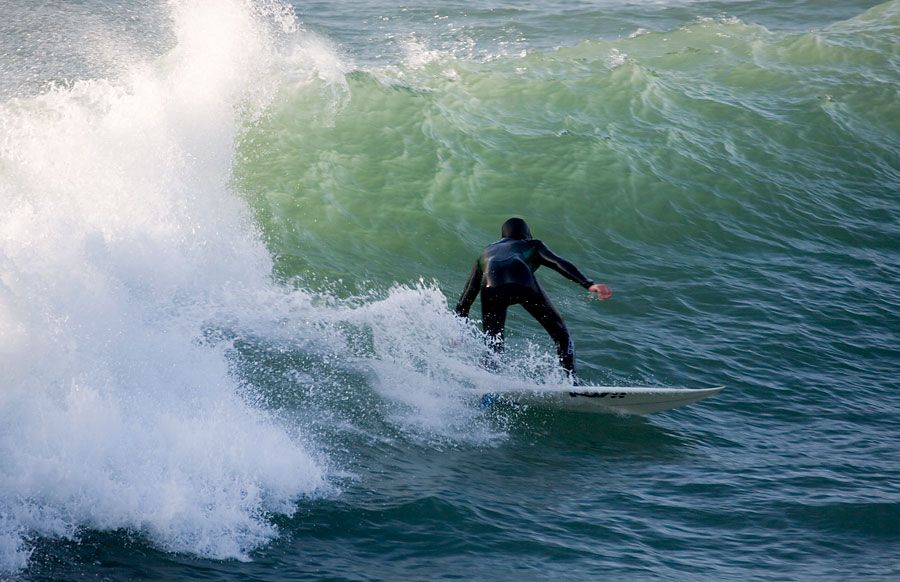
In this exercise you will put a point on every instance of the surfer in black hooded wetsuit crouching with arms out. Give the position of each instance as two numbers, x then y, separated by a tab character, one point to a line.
504	275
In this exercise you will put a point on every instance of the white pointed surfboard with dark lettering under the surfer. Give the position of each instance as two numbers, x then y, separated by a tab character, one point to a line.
601	399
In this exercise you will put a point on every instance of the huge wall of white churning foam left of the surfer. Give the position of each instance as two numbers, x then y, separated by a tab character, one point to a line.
119	243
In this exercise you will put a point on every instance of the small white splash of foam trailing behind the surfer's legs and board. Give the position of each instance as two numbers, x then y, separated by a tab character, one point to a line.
428	363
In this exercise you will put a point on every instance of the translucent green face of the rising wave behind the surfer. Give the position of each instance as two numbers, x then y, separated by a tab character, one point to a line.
715	135
